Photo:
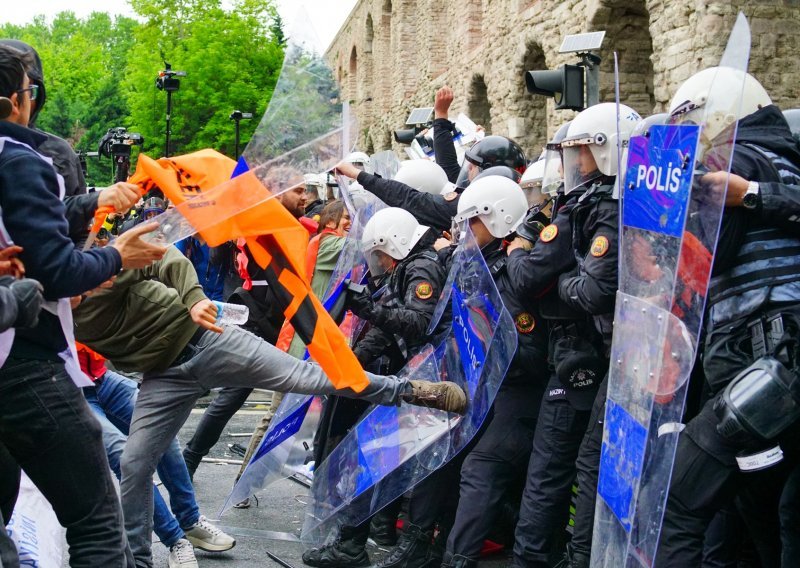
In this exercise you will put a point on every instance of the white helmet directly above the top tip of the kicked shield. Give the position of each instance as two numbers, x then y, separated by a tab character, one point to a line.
497	201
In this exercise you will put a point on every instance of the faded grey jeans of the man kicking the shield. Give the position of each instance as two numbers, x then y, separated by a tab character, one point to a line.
236	358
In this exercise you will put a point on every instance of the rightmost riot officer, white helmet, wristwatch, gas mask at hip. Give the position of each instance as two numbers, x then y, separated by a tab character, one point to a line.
752	324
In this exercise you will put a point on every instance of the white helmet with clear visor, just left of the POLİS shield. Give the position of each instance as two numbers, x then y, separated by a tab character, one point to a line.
591	145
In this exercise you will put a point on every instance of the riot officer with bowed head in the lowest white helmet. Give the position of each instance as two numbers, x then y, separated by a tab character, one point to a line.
398	307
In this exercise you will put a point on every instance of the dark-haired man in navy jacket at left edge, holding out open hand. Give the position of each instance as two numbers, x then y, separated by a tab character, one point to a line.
45	424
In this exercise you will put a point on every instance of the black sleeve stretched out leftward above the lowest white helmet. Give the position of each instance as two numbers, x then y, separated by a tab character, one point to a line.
435	211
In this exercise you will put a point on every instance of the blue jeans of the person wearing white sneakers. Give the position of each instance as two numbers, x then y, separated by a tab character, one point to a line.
113	402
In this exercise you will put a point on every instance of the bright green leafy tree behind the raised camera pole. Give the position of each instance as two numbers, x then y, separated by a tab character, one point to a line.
232	59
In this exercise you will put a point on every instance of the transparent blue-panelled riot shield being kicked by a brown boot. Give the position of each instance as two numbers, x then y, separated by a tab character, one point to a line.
394	448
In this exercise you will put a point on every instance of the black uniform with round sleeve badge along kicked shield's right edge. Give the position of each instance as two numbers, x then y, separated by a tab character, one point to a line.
499	455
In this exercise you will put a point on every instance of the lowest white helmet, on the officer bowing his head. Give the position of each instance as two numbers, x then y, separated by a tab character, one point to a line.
391	232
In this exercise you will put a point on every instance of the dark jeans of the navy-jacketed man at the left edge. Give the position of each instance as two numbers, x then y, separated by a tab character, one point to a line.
49	430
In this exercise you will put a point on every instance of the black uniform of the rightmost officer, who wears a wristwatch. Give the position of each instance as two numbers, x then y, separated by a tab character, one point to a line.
756	275
